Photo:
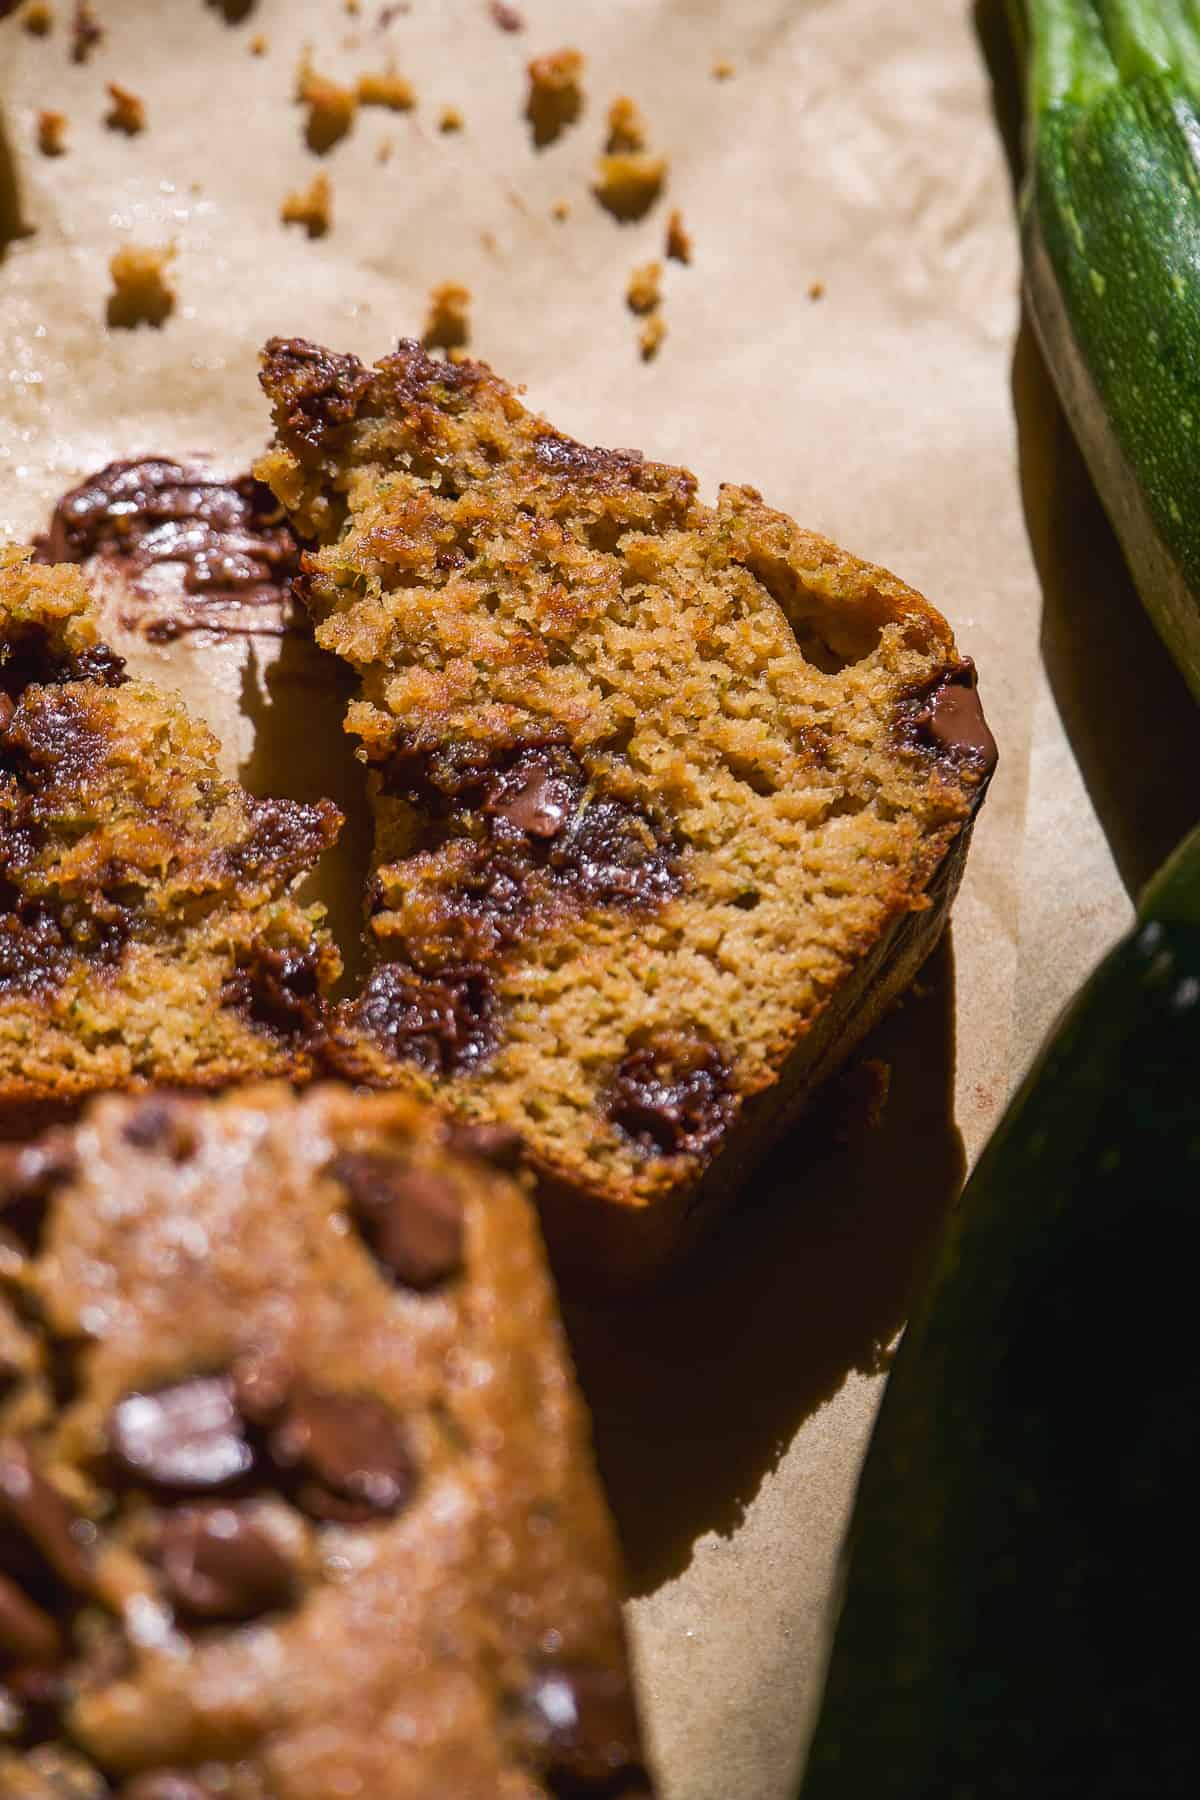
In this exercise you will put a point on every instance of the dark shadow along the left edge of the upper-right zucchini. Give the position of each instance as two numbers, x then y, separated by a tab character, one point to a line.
1125	708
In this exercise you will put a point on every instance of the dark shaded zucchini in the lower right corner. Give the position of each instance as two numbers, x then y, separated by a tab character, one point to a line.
1019	1592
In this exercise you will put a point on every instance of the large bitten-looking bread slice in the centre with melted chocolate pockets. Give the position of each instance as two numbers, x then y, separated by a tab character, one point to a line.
672	800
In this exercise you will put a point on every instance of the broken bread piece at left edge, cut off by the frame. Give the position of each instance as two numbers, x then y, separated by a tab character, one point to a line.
148	930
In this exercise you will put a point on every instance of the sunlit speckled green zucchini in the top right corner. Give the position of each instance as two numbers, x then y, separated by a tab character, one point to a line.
1113	271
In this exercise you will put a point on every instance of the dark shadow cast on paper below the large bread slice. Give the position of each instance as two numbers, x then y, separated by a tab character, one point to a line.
699	1396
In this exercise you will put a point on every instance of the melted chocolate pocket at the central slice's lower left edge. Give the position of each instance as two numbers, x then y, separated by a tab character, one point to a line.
443	1023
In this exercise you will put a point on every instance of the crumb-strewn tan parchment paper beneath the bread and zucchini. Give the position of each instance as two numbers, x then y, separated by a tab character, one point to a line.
852	147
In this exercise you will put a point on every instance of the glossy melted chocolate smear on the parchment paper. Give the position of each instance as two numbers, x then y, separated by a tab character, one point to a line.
217	544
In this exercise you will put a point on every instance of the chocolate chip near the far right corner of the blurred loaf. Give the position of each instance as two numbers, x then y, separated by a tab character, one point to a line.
411	1218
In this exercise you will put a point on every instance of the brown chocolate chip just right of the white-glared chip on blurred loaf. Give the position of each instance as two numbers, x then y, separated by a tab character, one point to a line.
350	1452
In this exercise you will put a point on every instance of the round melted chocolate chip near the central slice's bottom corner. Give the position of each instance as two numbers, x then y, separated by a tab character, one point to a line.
674	1095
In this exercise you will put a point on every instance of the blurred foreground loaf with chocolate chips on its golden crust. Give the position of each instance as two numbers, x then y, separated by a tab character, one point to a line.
296	1489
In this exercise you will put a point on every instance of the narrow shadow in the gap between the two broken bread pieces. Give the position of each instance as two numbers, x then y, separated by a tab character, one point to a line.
296	705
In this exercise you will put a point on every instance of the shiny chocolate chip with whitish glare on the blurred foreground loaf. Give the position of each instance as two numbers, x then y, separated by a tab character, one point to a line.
188	1439
